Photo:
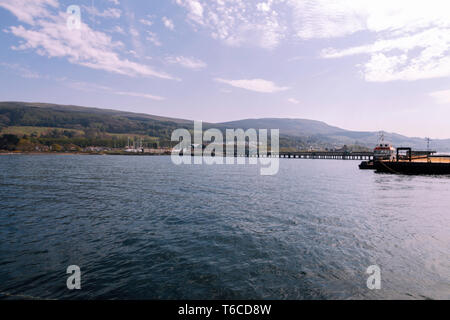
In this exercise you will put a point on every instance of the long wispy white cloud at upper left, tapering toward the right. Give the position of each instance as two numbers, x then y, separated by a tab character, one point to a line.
49	36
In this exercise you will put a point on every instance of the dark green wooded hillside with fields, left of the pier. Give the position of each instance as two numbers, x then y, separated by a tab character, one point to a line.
84	126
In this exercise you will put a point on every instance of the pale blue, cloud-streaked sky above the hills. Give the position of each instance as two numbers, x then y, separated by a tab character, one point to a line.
357	64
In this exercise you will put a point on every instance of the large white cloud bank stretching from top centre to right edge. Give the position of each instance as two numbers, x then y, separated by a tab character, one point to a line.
412	37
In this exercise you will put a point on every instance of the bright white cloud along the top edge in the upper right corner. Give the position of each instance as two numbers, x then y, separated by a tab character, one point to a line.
336	18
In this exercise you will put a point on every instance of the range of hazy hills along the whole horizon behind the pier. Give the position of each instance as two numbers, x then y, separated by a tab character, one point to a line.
98	125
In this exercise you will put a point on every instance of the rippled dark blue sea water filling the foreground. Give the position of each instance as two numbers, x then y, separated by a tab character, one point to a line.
143	228
